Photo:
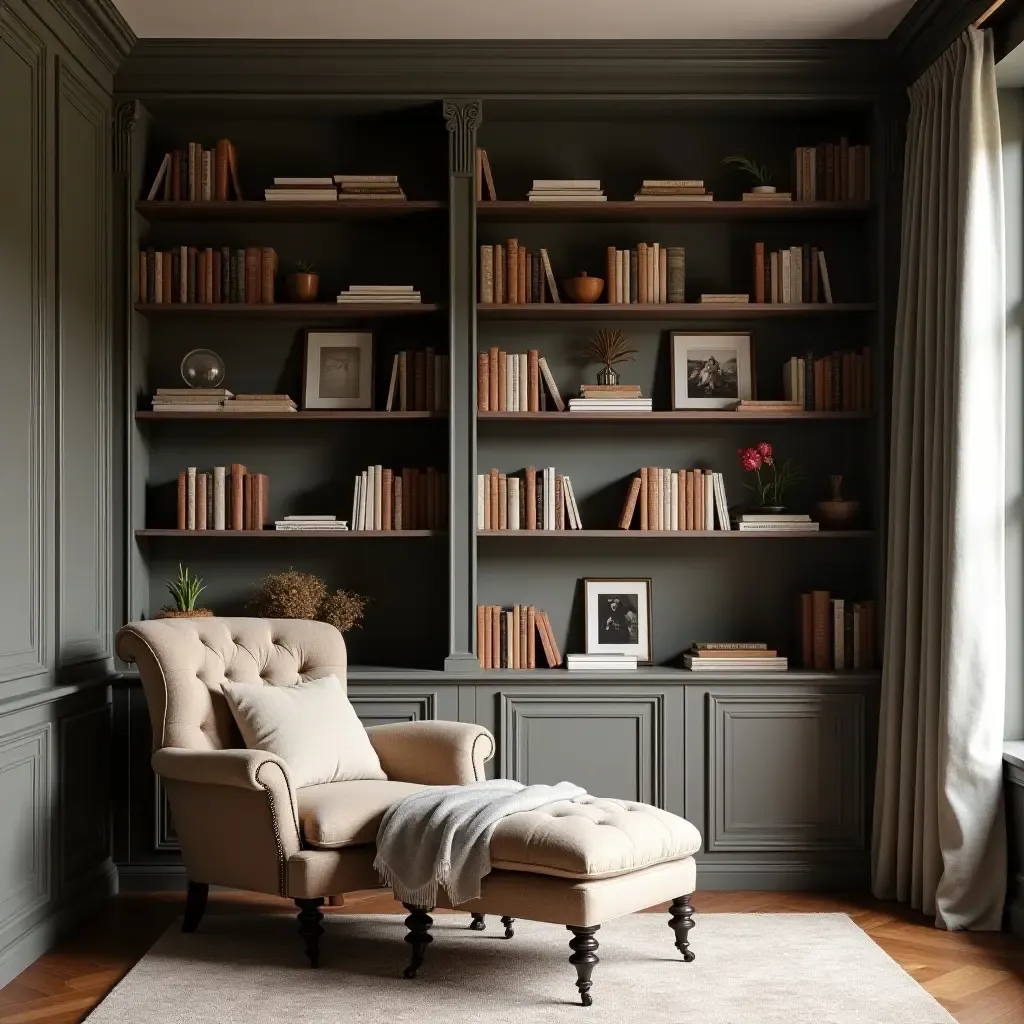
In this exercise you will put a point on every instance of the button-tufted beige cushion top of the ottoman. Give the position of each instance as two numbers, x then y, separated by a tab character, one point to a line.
592	838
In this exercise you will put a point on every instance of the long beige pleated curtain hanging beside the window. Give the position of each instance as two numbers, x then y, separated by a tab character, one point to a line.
940	840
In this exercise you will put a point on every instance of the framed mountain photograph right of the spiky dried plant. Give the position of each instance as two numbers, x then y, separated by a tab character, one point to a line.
711	371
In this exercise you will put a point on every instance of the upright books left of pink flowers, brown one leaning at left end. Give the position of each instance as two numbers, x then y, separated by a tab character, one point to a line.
671	500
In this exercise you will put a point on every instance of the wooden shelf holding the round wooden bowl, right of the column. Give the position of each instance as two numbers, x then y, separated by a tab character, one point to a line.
665	312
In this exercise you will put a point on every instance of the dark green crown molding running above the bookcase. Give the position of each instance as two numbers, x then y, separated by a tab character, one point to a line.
240	69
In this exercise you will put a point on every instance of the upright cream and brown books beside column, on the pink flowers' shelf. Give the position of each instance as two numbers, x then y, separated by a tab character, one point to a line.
532	499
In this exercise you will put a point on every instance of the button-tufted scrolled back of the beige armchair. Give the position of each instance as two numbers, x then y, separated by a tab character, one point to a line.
183	663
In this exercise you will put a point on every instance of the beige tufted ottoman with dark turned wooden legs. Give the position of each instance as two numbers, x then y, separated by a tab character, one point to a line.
581	865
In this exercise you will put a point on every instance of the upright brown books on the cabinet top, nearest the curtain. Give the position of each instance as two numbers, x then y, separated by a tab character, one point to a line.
836	633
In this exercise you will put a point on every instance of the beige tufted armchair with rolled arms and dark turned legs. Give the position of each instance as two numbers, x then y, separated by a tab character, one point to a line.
241	822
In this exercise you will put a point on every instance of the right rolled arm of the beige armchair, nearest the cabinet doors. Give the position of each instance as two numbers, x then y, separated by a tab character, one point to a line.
433	753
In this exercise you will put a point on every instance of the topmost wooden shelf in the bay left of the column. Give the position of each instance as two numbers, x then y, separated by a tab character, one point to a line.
262	211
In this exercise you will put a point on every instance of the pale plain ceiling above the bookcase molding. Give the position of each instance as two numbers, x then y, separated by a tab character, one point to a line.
514	19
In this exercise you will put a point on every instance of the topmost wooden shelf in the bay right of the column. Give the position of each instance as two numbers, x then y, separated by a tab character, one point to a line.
516	210
